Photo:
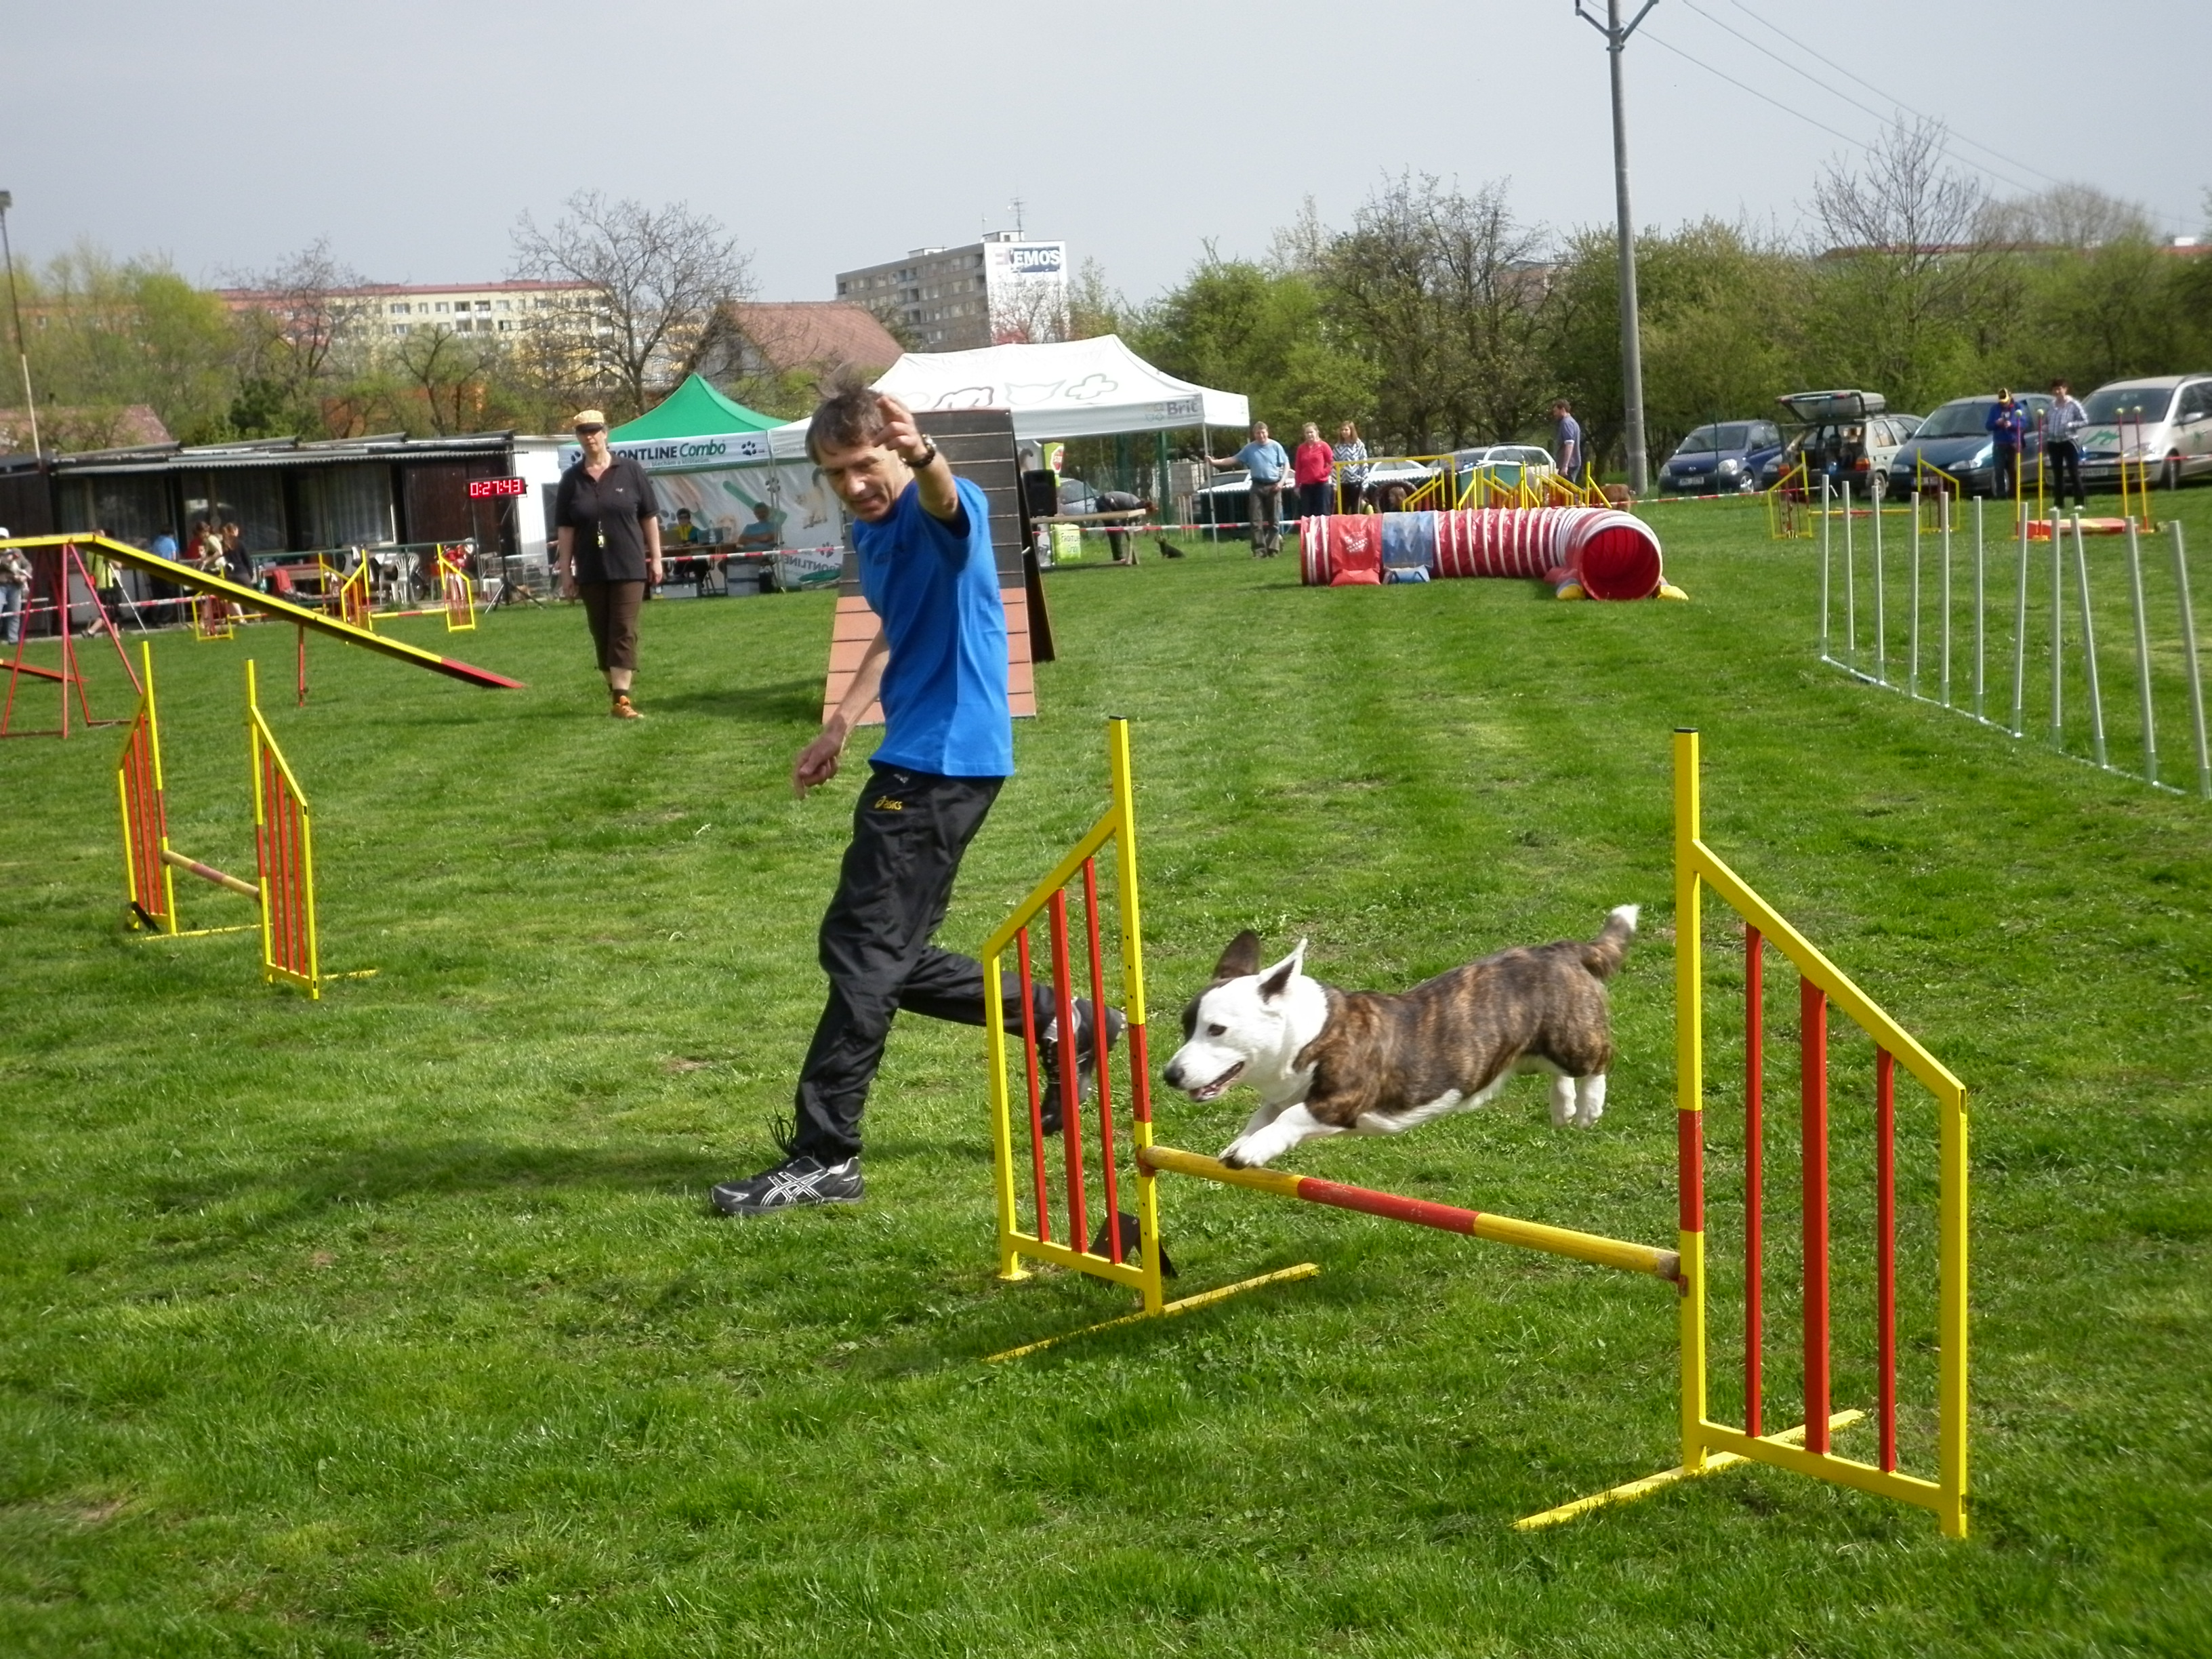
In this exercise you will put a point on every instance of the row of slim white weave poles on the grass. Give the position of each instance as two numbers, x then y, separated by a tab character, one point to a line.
2010	623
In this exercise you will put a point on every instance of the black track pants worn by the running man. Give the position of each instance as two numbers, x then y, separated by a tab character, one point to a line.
908	837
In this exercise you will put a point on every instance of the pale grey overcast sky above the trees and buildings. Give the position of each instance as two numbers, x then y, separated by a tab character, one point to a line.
227	134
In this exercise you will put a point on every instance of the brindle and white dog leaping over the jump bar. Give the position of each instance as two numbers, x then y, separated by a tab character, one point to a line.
1368	1063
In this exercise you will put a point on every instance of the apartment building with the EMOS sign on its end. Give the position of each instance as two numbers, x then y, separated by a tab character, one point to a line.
1005	289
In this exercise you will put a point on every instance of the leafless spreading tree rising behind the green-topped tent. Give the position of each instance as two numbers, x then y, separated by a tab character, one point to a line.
647	286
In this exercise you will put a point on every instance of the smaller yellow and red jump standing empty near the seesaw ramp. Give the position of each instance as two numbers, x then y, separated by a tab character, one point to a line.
284	846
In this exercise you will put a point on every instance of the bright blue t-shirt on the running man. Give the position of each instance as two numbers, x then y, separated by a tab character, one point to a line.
935	587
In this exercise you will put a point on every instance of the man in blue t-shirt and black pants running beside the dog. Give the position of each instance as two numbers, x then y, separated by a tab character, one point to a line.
939	667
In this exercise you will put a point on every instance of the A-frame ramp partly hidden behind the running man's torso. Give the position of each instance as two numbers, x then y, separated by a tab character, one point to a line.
979	446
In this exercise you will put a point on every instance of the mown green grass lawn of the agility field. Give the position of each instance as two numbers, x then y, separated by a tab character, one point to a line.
397	1324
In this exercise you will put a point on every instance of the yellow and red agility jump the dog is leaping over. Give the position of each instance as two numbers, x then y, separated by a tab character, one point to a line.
1127	1246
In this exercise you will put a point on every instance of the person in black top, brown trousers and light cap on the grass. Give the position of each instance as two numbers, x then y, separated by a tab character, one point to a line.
609	543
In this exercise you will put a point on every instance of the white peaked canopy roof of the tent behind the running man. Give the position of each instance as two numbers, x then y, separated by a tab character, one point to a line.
1063	390
